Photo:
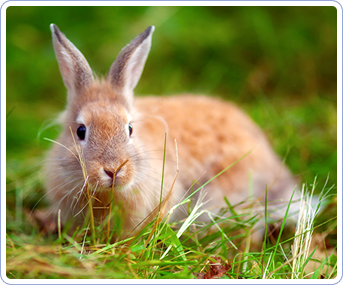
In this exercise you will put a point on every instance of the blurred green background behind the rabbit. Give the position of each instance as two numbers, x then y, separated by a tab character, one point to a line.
277	63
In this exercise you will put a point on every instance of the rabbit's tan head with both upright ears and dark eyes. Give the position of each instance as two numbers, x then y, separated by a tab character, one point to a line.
97	122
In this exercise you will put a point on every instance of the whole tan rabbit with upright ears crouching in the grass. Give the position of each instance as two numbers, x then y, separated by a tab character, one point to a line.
114	141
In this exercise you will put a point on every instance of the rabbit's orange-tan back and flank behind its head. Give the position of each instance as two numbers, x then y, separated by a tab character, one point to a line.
212	134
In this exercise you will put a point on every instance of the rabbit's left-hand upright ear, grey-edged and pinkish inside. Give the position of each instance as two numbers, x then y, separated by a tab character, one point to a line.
75	70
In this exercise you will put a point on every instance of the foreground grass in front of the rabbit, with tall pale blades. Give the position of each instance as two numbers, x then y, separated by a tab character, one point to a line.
188	249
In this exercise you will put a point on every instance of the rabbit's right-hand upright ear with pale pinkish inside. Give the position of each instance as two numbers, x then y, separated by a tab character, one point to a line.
126	70
